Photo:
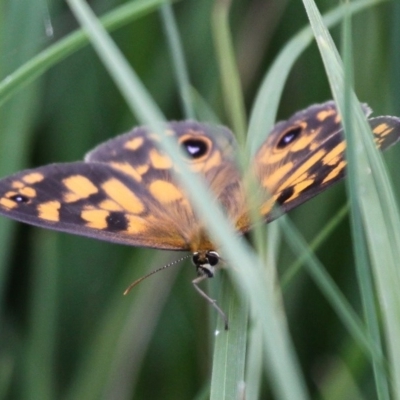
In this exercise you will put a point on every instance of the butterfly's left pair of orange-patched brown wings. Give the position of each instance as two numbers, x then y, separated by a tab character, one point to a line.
125	191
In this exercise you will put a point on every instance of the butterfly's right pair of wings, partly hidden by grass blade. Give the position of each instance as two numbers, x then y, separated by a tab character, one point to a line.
305	154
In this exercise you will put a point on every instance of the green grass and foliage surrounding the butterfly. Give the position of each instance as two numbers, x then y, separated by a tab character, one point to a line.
66	329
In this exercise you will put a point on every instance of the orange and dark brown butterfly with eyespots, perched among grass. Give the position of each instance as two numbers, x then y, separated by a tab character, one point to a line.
126	191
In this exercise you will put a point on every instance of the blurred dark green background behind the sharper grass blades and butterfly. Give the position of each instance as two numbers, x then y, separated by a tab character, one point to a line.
66	330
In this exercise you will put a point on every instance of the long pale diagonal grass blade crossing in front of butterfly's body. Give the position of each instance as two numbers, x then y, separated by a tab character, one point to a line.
285	375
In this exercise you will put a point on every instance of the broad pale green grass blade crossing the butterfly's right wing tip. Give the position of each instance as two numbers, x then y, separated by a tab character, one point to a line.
372	189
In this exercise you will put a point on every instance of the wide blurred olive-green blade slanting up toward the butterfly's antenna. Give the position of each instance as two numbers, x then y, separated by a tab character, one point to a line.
123	336
